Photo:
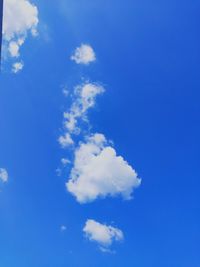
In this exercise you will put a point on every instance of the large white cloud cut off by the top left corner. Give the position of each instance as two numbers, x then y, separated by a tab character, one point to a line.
20	18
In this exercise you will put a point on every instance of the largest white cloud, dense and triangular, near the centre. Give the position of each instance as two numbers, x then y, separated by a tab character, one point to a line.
99	172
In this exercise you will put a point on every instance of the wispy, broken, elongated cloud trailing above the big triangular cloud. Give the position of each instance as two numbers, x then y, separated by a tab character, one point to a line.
84	99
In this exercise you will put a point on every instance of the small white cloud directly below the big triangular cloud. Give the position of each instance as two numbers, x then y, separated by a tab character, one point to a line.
104	235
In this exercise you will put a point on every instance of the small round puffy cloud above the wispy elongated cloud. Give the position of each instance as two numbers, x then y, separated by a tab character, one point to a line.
84	55
